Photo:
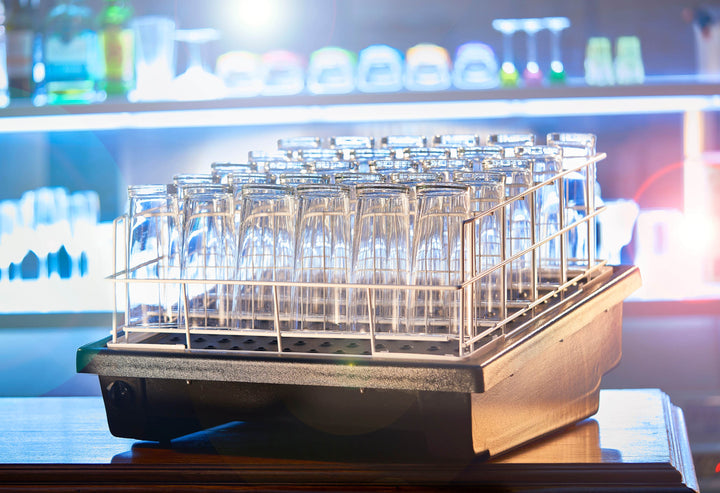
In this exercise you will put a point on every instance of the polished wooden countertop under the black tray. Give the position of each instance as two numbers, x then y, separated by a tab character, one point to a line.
636	442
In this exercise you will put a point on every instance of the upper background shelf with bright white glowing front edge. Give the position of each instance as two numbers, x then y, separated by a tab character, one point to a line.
658	95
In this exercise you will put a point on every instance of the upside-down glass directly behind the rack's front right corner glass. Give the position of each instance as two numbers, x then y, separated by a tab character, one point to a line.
487	190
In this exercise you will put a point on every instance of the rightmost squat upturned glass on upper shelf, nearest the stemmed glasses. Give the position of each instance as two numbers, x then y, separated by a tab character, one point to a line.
475	67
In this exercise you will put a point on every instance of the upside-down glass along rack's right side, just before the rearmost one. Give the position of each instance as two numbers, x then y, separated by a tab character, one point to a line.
546	164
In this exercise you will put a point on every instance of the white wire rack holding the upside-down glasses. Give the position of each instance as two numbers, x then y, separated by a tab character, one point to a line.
276	331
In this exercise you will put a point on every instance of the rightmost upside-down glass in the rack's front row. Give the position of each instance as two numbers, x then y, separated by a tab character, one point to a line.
438	259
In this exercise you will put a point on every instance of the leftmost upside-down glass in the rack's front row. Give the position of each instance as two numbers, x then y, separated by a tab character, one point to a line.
153	229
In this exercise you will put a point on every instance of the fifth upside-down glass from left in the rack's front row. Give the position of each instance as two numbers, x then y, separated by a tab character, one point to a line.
381	249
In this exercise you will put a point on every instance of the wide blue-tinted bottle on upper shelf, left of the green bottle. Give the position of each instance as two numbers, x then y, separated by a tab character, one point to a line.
71	61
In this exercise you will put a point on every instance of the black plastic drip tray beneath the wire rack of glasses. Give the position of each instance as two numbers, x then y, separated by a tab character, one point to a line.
524	385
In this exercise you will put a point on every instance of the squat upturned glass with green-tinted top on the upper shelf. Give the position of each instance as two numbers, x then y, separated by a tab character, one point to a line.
331	70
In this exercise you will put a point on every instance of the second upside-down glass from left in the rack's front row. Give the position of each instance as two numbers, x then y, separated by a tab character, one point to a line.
208	251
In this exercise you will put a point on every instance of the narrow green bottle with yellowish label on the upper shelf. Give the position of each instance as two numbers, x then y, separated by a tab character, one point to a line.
116	47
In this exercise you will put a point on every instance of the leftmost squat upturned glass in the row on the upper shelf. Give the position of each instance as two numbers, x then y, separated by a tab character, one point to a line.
241	72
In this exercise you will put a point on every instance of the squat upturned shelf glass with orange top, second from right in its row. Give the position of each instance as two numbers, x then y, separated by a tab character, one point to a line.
427	68
